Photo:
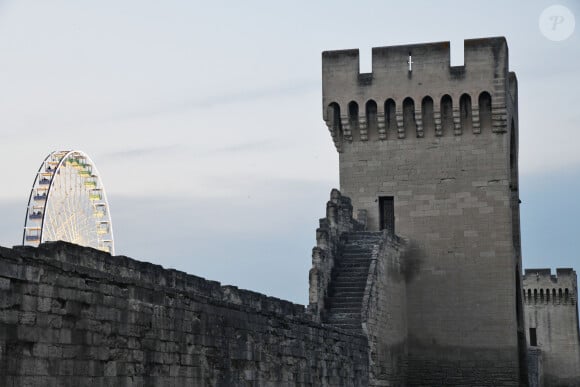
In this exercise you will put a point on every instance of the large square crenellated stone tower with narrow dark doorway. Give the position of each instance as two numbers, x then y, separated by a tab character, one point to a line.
430	152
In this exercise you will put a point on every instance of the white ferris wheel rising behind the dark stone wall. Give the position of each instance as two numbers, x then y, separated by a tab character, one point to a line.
68	202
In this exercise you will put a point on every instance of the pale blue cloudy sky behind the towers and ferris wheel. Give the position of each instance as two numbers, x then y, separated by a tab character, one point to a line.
205	120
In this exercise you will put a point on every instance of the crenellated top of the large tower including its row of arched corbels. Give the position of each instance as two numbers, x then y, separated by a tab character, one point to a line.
413	91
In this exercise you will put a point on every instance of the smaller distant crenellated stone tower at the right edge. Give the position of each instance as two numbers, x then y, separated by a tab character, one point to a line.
551	310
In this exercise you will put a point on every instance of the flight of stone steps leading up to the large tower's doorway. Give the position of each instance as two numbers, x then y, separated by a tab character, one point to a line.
349	278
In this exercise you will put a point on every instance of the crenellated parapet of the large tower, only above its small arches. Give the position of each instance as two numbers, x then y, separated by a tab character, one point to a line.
485	68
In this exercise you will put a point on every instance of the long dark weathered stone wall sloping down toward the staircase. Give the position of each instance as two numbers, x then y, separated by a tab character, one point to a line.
72	316
